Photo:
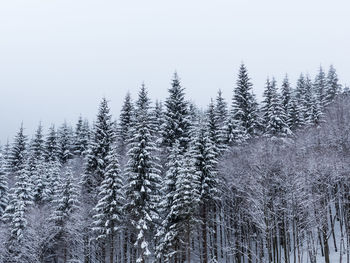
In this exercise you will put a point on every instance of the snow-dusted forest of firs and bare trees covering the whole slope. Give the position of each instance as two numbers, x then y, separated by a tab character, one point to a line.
168	182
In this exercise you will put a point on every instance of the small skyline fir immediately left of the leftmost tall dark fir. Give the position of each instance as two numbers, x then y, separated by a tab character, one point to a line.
81	137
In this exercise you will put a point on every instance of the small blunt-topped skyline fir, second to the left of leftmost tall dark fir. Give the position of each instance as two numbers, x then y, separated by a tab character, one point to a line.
65	143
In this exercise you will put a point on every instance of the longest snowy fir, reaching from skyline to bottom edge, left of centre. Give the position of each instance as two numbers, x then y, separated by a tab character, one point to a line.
143	180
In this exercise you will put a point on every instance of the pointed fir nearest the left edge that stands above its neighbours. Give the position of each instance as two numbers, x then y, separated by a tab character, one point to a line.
18	152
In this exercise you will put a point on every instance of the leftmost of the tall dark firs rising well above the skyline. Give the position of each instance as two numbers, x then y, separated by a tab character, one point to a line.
102	139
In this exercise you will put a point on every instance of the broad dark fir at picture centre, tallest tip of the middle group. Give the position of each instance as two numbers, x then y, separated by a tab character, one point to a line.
176	123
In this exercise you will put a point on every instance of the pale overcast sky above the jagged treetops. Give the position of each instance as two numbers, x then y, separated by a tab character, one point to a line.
58	58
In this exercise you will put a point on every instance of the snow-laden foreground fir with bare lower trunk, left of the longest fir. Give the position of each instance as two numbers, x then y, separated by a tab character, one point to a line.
108	211
